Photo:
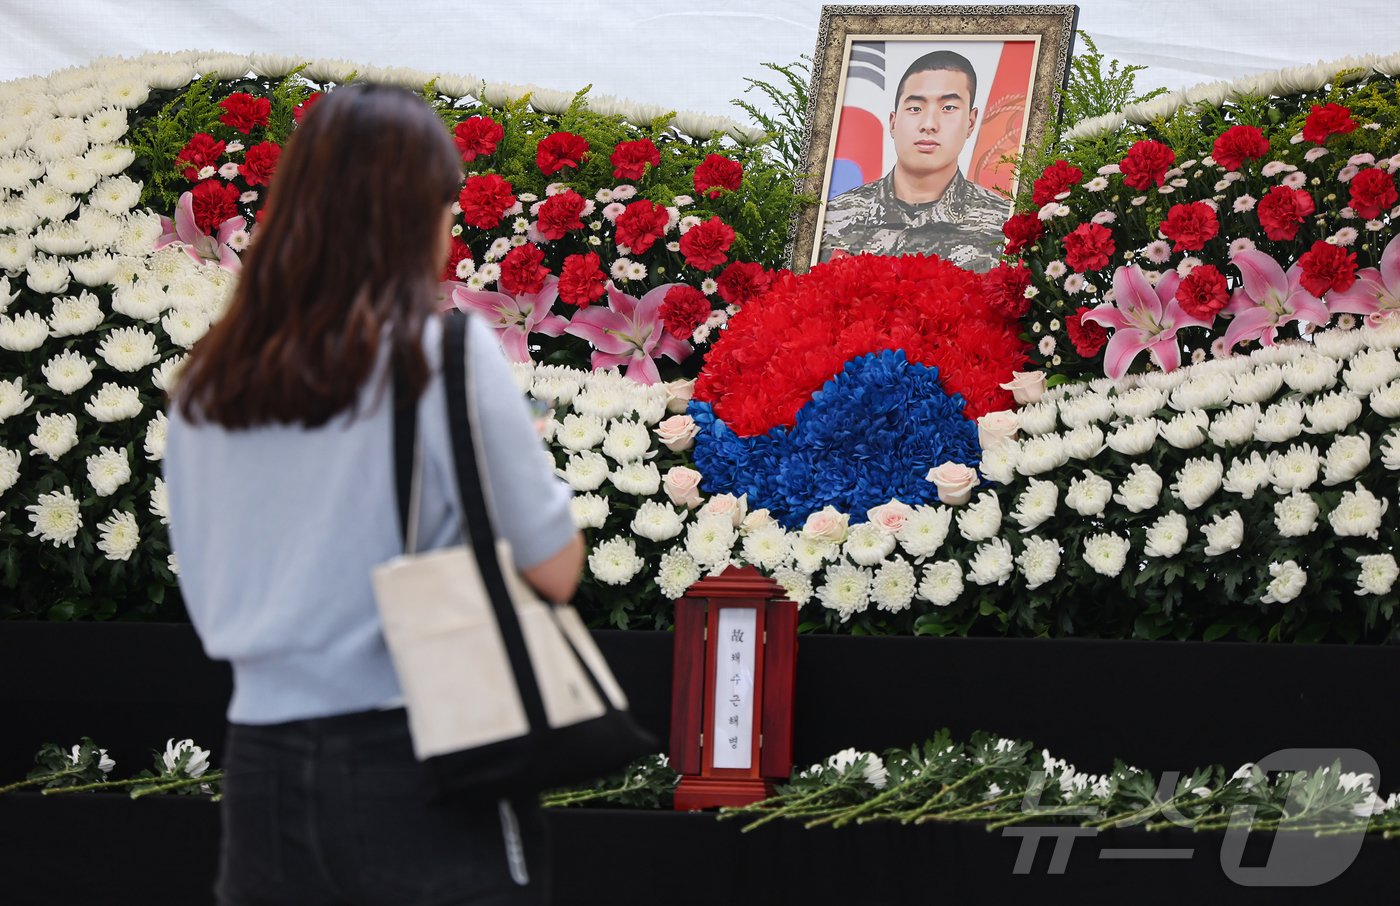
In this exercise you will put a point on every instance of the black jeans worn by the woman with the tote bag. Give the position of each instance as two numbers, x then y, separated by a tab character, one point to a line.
334	811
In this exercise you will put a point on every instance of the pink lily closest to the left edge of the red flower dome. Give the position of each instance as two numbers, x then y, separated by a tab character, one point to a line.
629	333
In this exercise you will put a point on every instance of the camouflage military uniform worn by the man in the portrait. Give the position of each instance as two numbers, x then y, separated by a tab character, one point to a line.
962	228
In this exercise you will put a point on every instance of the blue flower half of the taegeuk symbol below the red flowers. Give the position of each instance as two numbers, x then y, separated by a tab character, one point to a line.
867	436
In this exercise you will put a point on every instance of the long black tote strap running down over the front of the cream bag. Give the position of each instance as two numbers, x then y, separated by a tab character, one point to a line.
477	519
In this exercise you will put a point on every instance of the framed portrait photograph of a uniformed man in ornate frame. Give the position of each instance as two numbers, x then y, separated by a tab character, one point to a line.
913	114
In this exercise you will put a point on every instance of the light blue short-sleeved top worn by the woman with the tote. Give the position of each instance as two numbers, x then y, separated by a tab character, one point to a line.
276	531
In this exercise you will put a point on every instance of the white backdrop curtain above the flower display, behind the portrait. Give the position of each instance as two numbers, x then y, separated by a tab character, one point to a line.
684	55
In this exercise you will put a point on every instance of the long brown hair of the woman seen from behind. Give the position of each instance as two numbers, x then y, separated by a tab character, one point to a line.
346	249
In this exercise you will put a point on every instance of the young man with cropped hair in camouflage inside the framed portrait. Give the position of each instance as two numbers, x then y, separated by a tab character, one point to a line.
925	205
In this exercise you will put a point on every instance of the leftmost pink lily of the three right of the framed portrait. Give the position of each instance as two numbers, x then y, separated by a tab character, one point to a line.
1143	317
